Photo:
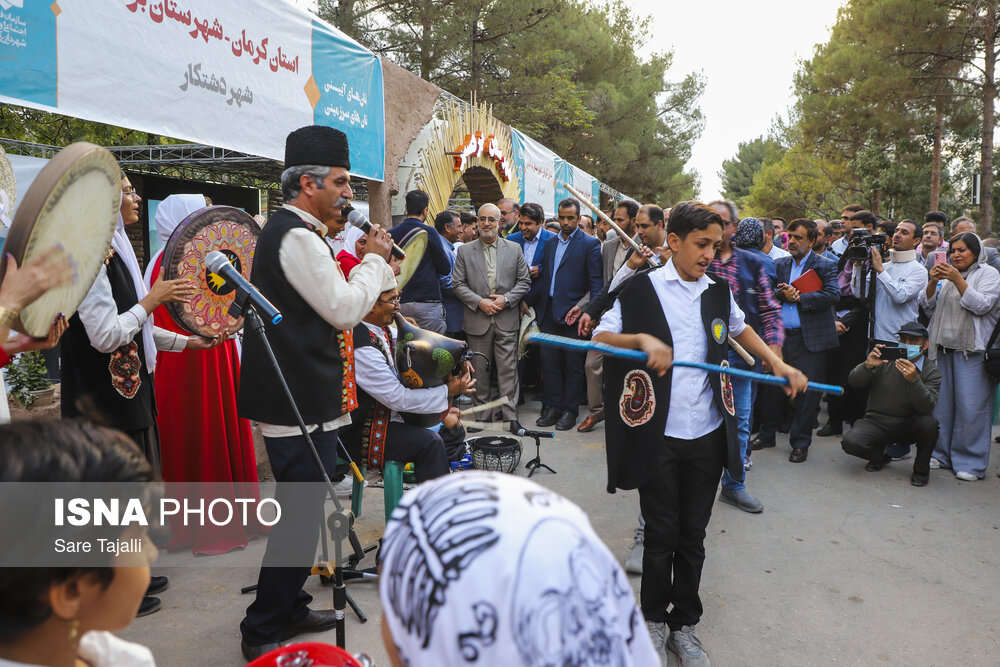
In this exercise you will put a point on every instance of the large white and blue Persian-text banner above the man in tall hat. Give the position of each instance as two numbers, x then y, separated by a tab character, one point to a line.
238	74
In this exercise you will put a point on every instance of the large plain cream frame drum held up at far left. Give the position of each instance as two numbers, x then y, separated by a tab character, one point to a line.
73	203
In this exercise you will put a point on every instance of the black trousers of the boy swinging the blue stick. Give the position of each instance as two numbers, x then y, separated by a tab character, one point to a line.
676	506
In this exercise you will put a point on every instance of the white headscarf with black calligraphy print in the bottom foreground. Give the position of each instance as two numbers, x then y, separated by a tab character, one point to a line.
492	569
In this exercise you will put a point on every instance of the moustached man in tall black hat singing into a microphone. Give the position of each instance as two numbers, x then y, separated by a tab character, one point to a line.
296	270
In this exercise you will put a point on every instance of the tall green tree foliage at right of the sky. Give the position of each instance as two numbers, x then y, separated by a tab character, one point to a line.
885	123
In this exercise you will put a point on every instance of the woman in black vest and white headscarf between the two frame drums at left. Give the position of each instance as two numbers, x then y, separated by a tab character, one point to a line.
109	351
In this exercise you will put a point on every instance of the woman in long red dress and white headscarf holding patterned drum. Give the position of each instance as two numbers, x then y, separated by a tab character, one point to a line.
202	439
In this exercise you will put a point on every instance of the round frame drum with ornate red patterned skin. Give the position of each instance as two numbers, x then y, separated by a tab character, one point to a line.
226	229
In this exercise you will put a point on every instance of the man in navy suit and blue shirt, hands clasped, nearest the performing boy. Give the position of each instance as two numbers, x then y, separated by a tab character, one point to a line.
570	270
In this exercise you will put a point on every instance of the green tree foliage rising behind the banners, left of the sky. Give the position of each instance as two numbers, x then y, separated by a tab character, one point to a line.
563	71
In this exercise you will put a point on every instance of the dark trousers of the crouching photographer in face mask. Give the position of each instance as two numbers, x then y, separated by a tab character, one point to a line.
870	436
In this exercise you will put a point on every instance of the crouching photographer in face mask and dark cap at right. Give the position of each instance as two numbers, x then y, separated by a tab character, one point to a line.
904	387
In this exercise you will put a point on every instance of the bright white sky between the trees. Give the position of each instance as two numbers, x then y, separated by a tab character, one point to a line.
748	52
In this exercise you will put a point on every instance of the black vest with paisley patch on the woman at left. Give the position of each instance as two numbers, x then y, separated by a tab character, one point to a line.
116	386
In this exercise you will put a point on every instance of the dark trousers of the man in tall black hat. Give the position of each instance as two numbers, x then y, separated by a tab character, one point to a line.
280	599
